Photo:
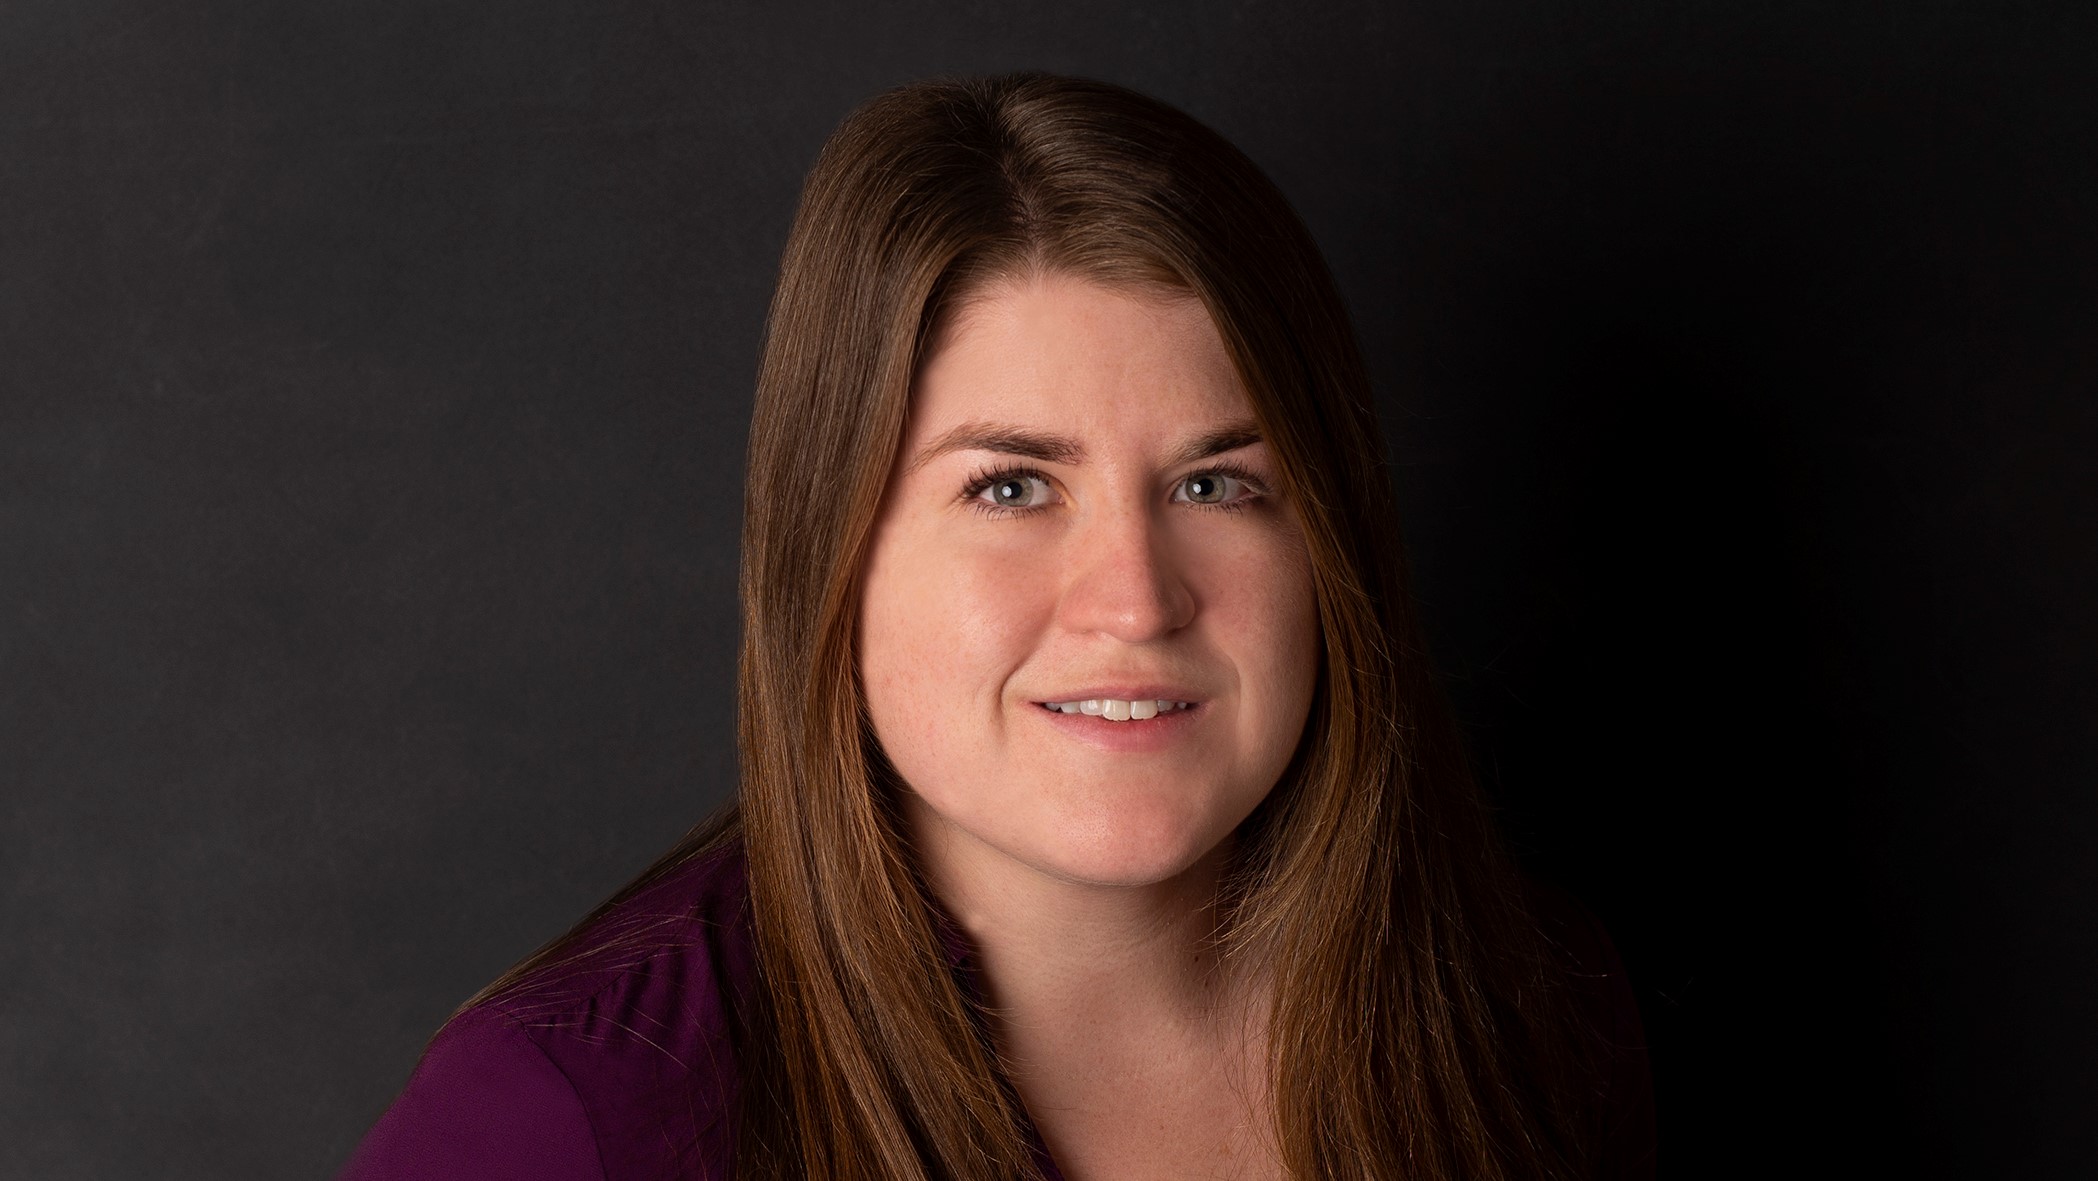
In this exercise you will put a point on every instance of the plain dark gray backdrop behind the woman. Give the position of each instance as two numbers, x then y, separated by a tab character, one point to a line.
372	400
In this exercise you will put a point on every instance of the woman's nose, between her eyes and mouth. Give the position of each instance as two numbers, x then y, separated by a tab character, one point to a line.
1123	580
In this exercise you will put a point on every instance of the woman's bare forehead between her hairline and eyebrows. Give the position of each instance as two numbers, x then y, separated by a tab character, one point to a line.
1079	358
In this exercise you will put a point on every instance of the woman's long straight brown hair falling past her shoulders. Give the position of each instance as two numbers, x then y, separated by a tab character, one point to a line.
1415	1029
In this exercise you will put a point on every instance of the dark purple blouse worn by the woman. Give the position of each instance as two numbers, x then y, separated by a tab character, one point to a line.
618	1067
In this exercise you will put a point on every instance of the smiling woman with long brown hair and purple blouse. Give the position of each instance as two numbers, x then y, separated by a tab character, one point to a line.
1098	813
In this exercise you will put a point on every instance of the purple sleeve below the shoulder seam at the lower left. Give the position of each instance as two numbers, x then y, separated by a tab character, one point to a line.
486	1102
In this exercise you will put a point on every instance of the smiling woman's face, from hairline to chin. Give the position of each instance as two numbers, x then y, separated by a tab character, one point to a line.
1084	513
